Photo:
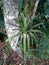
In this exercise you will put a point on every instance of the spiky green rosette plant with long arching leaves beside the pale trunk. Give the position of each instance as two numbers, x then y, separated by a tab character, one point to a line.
28	35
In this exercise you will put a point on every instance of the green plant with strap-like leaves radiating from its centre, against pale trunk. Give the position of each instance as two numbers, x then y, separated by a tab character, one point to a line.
27	32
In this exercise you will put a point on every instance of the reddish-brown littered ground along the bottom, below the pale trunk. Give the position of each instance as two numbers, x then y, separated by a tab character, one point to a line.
9	57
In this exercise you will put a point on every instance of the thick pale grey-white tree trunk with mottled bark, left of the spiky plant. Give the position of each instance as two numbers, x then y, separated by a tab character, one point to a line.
10	14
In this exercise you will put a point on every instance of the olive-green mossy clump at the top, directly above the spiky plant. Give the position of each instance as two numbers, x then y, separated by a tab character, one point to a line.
28	8
